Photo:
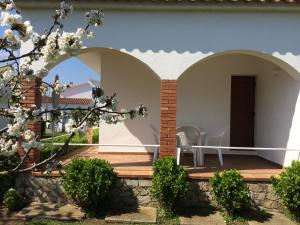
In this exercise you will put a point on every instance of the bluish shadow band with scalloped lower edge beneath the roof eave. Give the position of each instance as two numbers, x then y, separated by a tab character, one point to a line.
201	31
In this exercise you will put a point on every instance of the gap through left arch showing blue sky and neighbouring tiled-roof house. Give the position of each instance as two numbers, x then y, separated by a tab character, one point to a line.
79	95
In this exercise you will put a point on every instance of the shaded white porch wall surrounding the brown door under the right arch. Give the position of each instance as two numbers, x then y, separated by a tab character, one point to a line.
204	99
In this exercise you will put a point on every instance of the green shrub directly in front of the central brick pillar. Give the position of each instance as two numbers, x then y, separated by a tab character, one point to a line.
169	183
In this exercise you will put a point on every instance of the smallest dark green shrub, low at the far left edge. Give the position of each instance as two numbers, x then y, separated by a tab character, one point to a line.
13	201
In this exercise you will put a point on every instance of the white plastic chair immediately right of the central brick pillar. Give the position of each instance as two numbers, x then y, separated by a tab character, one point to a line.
187	136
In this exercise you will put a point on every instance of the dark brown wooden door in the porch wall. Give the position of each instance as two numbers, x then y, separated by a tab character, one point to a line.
242	111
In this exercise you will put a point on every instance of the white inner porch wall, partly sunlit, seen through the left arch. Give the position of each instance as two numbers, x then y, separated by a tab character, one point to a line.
134	83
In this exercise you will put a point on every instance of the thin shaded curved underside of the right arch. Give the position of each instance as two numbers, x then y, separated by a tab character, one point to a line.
270	58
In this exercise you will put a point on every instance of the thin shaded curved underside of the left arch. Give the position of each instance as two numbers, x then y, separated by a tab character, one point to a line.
99	50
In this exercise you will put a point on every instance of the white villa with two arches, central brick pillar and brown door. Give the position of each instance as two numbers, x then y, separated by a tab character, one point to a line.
214	64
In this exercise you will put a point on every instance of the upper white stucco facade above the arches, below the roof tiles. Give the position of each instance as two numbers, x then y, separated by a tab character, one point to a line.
170	41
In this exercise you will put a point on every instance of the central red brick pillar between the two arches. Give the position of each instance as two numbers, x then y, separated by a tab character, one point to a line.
167	118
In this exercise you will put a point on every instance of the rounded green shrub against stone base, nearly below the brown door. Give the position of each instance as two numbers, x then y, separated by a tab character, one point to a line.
230	191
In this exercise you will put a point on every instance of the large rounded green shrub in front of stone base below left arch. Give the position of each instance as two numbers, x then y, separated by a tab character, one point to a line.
88	182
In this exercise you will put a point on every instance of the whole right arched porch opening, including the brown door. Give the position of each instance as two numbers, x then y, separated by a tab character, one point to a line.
205	98
